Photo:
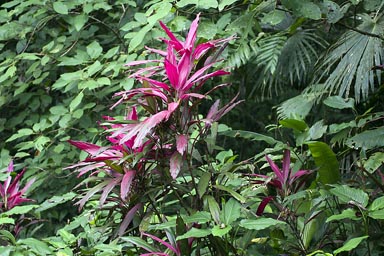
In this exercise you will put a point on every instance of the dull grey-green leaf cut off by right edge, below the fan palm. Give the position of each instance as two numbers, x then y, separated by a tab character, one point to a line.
367	139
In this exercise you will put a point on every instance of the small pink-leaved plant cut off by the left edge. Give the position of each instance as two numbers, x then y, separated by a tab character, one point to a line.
10	192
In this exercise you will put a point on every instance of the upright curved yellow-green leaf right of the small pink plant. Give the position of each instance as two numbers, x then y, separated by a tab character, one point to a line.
327	162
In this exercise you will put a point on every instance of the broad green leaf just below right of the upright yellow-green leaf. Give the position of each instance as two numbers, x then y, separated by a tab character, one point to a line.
347	194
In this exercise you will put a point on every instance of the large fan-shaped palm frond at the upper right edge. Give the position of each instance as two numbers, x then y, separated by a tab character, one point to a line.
348	64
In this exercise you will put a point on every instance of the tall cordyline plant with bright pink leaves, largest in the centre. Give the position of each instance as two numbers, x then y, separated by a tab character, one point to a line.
153	142
